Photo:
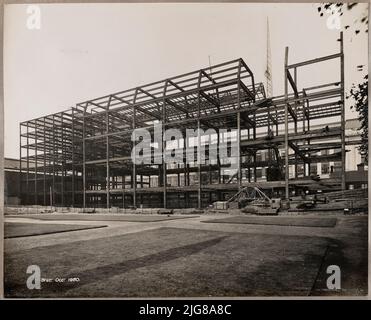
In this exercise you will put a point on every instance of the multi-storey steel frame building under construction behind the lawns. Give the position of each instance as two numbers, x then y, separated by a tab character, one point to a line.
81	157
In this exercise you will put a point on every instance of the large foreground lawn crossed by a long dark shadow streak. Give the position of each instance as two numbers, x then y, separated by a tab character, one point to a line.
170	262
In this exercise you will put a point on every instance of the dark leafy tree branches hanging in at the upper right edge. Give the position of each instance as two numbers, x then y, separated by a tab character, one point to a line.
359	92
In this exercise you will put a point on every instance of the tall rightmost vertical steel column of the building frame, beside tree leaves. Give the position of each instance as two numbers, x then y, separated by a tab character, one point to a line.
343	155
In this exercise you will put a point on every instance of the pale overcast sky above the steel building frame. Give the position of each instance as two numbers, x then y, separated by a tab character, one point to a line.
83	51
